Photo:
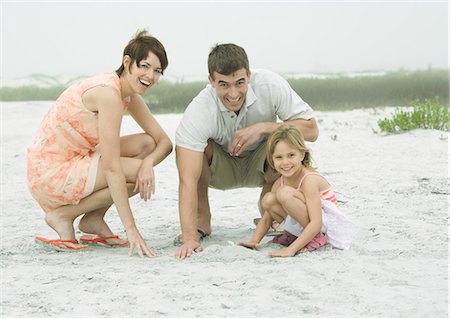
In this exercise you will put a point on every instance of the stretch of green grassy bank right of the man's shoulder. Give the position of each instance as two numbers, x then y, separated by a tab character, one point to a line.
393	89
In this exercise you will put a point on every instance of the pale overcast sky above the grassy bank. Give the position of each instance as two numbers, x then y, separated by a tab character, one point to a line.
81	38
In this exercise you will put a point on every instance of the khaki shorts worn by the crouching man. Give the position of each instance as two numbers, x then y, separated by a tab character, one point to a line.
229	172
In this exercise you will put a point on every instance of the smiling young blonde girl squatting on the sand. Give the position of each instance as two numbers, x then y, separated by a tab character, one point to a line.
301	200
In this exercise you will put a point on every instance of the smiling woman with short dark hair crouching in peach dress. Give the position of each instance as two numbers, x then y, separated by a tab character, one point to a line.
79	165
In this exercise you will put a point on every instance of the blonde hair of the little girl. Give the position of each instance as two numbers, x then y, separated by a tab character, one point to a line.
293	137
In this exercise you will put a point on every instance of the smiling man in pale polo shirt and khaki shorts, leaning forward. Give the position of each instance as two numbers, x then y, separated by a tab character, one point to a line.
221	139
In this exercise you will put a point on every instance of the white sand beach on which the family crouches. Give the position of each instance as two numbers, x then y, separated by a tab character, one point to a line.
395	188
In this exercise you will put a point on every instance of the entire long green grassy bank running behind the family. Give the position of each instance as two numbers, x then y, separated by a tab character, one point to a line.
398	88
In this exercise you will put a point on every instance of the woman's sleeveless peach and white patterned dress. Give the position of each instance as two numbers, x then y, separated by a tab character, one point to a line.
63	158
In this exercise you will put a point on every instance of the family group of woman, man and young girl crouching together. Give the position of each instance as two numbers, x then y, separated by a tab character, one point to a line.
247	128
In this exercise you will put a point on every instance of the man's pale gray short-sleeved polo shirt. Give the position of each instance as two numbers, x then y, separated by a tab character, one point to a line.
269	98
